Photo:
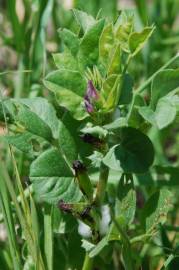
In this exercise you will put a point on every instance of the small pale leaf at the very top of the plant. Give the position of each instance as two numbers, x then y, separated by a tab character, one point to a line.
85	21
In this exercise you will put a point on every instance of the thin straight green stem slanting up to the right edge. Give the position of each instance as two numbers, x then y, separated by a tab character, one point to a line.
150	79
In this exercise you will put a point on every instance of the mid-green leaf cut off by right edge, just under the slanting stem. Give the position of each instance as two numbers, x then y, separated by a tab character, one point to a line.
164	82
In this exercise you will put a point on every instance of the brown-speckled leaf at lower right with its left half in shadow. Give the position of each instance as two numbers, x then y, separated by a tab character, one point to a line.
156	209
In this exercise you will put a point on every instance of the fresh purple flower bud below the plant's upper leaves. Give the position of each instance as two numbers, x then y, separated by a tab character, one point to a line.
91	95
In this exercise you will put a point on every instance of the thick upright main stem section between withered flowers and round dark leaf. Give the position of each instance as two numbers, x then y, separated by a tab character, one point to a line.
101	187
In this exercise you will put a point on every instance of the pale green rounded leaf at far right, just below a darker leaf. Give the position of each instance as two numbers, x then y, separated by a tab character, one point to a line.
165	113
